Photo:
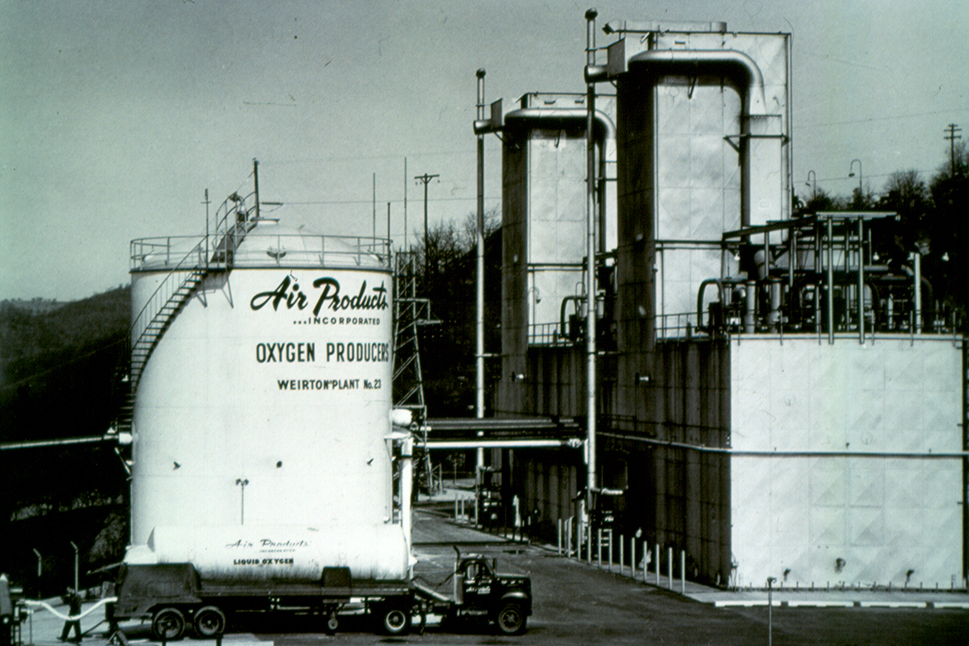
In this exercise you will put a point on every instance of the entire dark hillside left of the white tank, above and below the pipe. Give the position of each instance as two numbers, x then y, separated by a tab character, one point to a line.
60	371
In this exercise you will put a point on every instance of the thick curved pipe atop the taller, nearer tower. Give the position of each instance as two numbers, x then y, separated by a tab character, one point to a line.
753	95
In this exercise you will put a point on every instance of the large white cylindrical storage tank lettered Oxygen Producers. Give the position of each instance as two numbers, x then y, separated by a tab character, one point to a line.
267	398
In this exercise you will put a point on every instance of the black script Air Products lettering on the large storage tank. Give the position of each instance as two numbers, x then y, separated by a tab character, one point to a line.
289	294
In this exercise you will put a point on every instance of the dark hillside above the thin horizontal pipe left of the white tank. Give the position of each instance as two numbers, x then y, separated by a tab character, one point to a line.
59	365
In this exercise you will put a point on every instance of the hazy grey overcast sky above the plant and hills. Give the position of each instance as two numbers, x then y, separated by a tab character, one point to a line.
116	115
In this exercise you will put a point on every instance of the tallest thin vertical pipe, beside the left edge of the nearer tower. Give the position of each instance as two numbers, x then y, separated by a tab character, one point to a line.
590	279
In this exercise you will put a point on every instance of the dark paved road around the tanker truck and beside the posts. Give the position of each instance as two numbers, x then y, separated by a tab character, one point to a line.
576	603
